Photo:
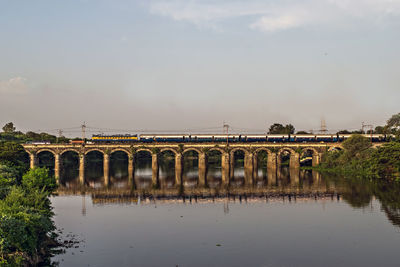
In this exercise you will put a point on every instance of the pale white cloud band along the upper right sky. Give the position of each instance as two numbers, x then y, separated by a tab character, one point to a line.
274	15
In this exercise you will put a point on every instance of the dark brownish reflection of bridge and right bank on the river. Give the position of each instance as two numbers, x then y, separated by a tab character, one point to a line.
284	183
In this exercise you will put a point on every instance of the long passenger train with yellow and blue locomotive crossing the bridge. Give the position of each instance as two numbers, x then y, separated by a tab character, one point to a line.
231	138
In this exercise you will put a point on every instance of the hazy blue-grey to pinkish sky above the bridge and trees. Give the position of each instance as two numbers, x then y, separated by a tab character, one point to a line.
193	64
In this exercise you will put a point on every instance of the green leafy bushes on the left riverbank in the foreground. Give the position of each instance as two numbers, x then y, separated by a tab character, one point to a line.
25	216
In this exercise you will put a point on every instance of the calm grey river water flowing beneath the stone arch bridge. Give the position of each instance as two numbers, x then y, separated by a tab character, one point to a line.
307	220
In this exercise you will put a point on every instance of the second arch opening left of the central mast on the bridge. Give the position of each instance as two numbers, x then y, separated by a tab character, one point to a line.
190	174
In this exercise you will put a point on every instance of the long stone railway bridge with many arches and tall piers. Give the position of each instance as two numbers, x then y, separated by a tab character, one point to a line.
227	154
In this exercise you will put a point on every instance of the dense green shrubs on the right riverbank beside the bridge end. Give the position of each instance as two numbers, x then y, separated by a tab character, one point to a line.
358	158
